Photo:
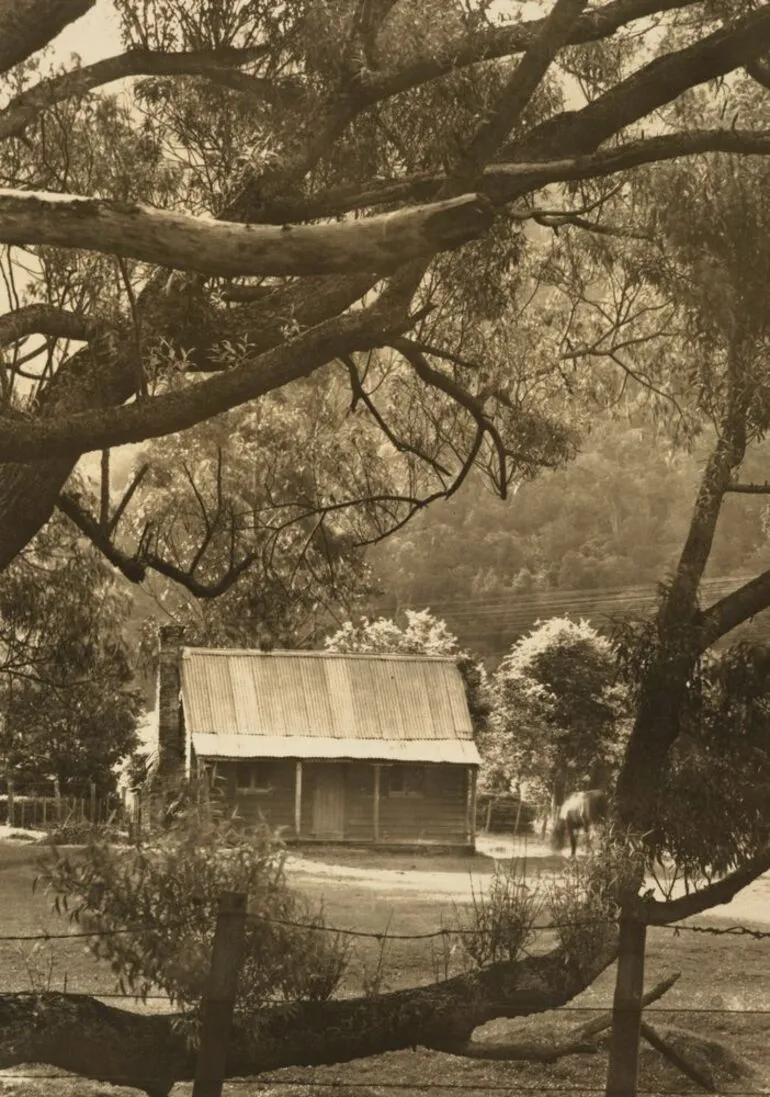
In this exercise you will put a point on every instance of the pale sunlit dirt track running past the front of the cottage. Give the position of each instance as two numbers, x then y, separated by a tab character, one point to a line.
457	877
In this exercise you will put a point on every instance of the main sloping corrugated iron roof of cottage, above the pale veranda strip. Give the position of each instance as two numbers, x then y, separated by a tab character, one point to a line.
324	696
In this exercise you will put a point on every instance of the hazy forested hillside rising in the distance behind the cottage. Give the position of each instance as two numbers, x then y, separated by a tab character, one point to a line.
592	539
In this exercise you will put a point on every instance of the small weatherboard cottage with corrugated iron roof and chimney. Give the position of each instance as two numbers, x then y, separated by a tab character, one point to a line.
359	749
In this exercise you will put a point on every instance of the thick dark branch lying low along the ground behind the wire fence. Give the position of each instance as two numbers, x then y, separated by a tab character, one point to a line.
150	1053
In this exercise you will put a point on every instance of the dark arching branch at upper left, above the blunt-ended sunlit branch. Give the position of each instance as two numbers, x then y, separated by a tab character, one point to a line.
217	65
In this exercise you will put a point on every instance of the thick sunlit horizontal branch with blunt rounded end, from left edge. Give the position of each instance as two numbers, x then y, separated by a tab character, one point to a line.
223	248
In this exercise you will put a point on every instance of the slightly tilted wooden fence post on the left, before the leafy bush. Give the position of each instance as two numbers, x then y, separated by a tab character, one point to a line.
221	994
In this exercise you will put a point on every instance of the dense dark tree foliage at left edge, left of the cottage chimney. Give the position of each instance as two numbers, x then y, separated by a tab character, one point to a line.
69	707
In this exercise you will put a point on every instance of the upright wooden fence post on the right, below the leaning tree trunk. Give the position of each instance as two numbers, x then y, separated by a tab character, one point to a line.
622	1069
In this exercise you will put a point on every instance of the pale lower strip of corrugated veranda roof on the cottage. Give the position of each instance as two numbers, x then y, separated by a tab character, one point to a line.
460	752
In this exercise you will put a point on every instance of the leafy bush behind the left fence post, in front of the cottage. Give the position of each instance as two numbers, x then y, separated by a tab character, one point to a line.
164	899
